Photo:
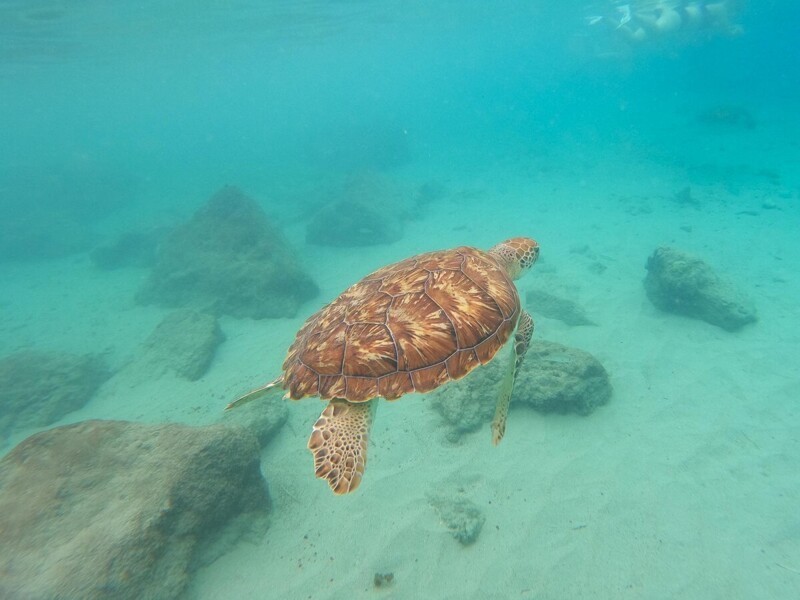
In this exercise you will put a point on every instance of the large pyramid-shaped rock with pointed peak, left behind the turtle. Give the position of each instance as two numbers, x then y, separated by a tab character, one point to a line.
228	259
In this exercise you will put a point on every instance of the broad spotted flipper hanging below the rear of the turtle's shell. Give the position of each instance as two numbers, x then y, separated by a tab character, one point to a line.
339	443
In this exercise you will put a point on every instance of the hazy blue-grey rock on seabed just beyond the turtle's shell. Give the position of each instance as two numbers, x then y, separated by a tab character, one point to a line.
369	210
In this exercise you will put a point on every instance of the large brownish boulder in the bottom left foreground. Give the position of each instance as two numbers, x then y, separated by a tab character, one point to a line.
116	510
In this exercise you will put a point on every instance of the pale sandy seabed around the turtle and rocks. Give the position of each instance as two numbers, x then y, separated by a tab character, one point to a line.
686	485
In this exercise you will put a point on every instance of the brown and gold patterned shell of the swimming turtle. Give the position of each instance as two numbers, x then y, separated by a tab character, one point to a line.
407	327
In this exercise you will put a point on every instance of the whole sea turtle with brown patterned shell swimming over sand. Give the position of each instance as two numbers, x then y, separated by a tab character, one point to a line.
408	327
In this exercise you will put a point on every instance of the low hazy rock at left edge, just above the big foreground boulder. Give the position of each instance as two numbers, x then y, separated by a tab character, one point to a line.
39	388
